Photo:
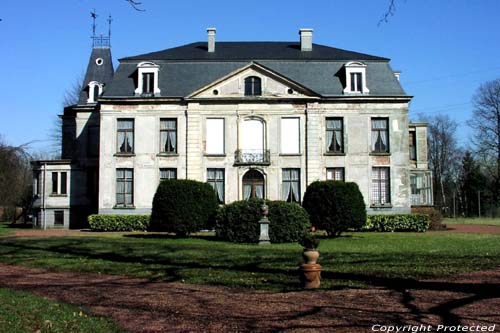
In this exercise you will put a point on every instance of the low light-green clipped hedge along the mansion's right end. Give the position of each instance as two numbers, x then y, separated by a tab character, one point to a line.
398	222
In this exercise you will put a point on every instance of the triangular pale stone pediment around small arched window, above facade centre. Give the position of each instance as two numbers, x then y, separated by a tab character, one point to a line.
273	85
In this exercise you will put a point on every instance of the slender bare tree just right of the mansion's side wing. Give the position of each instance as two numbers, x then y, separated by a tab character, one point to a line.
444	157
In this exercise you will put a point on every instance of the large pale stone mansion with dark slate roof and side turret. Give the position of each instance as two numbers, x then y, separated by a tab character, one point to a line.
253	119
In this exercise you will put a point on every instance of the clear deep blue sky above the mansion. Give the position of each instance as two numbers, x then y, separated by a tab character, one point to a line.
444	49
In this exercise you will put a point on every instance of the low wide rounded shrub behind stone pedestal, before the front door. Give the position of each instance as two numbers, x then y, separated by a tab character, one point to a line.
239	221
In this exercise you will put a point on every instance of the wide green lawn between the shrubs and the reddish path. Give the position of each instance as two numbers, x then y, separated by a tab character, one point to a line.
356	260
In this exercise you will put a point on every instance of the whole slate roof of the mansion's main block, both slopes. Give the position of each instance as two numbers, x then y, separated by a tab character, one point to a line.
188	68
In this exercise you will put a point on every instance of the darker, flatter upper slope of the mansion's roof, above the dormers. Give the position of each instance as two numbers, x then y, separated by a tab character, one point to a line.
231	51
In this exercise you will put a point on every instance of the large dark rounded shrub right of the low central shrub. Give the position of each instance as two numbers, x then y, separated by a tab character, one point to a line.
335	206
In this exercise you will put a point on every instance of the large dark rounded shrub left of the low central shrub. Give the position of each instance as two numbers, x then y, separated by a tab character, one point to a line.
183	206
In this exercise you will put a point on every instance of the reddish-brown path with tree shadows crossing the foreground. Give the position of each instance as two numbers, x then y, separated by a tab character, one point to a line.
142	306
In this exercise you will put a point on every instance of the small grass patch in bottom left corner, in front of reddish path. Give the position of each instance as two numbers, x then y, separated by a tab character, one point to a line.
24	312
